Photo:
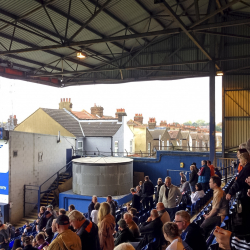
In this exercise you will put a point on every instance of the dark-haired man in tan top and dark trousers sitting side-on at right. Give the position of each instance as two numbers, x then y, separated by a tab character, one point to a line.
219	206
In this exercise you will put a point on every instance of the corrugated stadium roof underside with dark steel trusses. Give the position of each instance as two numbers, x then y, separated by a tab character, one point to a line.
123	40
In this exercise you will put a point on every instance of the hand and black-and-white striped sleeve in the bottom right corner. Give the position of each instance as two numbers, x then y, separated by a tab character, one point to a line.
227	241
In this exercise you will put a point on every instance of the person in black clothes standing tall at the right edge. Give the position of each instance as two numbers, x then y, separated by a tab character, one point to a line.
241	185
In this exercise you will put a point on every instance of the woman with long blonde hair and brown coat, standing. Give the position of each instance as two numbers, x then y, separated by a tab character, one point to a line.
106	225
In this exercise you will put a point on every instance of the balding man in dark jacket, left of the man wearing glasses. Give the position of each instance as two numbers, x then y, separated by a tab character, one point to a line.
151	229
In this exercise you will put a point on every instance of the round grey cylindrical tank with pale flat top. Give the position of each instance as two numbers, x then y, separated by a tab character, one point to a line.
102	176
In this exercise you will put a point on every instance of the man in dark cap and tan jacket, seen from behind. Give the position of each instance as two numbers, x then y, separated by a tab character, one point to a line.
66	238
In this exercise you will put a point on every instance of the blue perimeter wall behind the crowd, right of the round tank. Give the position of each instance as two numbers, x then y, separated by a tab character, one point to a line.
169	160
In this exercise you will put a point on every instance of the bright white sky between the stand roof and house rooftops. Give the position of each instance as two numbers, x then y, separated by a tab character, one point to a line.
174	101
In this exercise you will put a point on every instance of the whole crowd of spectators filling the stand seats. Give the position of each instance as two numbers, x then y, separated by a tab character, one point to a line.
165	227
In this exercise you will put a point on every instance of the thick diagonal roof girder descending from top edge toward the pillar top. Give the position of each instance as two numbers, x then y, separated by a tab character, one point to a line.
183	27
